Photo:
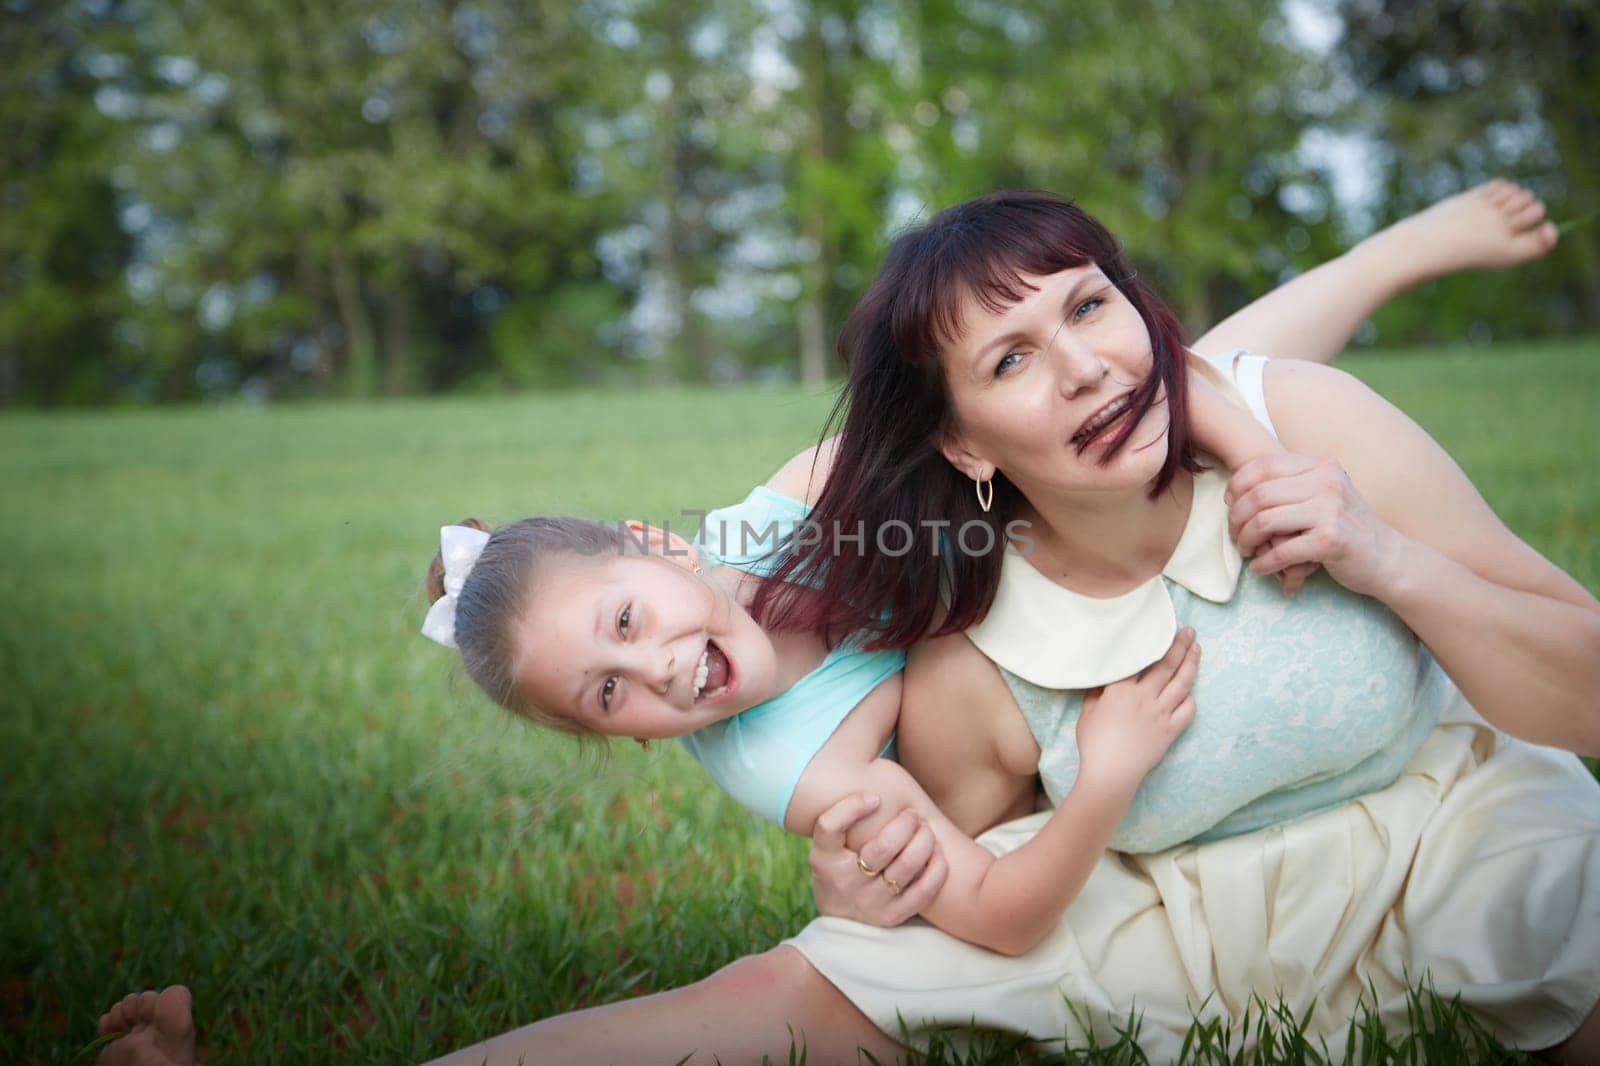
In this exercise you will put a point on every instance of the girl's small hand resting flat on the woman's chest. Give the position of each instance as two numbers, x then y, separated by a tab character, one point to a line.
1129	726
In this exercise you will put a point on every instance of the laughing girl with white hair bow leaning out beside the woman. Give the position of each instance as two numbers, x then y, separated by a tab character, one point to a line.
590	630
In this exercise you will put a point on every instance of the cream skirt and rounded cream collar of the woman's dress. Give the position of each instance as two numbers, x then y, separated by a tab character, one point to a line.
1478	868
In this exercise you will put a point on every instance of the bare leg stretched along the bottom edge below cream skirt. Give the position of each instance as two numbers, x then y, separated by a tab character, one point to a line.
753	1008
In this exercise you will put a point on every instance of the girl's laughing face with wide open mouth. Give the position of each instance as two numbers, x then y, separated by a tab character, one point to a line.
641	646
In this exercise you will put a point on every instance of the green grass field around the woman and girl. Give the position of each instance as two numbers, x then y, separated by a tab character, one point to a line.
230	759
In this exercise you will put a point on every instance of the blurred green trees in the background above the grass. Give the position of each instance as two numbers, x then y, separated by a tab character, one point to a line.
279	199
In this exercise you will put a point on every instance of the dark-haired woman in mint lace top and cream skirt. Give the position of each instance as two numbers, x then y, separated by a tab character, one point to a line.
1033	364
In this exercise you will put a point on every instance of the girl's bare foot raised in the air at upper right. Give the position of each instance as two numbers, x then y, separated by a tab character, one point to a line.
1497	225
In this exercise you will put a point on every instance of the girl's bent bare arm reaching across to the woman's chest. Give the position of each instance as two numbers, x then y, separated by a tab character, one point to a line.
1010	904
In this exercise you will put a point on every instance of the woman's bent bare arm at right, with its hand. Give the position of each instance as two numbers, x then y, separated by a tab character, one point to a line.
1394	518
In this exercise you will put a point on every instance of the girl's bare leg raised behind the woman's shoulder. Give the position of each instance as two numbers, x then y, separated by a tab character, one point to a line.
1498	225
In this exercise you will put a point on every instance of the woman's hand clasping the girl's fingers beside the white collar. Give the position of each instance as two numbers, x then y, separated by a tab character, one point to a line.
1297	510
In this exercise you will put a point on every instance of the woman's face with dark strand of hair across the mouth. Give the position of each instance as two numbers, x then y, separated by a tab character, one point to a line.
1038	390
